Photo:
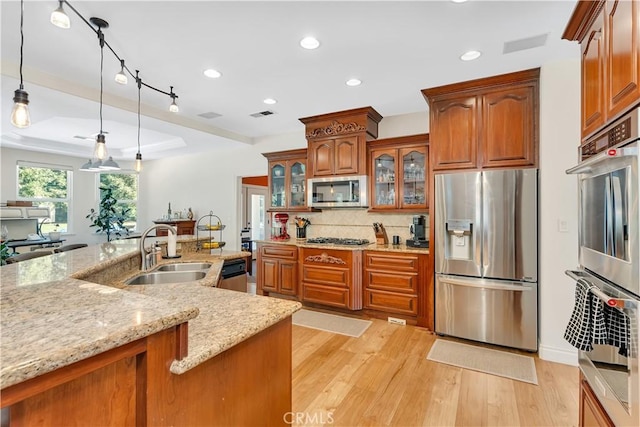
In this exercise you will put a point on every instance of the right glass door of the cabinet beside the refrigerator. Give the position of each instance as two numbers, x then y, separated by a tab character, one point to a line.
414	178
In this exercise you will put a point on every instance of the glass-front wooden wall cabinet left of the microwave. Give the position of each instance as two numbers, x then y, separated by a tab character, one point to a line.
287	180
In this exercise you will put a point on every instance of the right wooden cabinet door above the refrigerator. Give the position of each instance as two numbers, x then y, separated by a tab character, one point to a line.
508	131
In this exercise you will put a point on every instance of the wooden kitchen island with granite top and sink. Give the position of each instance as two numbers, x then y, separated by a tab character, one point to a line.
79	345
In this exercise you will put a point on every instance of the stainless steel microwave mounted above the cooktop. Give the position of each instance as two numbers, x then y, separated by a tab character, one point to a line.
338	192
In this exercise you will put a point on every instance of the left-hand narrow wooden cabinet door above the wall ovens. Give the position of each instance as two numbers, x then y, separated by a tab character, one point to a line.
593	77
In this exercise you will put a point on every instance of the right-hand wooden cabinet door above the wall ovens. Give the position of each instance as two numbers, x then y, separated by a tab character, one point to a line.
623	58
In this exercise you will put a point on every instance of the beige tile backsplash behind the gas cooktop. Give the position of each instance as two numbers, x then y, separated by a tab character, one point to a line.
355	223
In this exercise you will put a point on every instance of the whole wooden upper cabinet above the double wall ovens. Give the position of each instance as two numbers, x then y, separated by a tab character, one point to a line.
609	37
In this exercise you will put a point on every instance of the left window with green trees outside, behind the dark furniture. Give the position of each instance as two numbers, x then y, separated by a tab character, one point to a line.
47	186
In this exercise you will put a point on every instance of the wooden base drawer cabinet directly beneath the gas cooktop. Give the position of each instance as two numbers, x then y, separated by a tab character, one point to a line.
331	277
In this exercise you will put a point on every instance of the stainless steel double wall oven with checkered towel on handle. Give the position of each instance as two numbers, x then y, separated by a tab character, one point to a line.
609	256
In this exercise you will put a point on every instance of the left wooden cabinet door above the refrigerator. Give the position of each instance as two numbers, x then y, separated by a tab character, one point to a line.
454	138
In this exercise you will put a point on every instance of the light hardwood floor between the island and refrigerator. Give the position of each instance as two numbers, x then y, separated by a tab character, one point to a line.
384	378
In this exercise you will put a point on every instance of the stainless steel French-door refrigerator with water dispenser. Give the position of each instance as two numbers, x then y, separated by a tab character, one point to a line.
486	256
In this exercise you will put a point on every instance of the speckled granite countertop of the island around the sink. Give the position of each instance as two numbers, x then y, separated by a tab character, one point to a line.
50	318
